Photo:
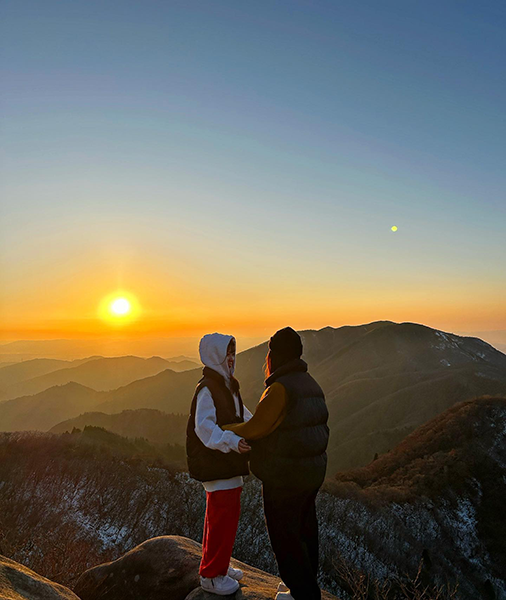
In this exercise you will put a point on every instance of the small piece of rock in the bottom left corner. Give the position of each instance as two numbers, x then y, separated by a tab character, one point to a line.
18	582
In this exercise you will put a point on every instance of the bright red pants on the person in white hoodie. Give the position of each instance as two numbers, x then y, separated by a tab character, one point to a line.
220	527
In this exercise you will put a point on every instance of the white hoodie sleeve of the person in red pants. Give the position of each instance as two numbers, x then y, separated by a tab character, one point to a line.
206	428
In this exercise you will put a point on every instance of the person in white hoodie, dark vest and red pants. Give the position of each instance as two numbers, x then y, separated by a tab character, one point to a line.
219	459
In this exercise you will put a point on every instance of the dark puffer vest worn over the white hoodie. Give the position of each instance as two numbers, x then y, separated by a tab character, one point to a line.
205	464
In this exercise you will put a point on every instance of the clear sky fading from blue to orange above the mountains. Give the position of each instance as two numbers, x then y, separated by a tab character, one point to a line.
238	165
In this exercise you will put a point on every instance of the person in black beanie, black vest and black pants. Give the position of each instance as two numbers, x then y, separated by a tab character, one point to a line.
289	435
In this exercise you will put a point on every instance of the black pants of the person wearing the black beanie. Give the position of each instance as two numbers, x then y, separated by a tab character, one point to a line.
293	531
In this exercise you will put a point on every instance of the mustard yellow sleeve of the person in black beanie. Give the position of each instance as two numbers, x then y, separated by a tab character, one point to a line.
268	414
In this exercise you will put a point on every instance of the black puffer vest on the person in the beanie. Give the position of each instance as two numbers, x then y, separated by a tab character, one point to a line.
294	454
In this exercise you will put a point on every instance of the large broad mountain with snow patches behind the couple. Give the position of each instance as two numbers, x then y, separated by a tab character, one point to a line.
384	379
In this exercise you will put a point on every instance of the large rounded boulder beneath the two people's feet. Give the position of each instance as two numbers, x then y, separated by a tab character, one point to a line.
166	567
